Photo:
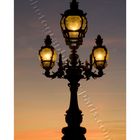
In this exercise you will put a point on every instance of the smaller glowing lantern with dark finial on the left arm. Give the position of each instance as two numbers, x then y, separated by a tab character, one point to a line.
47	55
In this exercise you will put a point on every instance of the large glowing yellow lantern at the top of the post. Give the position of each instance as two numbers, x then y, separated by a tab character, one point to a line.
73	25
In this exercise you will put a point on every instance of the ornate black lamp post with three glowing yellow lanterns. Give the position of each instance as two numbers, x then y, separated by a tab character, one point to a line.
74	26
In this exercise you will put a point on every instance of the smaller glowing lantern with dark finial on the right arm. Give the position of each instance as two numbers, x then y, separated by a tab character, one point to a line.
99	54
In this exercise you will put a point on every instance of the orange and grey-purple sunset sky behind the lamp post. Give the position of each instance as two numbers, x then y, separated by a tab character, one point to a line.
40	103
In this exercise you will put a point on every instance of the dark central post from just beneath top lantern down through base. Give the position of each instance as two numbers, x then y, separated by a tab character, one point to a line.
73	115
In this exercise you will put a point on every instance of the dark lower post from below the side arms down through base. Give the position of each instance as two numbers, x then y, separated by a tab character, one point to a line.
73	117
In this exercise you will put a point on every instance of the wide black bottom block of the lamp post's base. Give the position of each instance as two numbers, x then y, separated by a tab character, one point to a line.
71	133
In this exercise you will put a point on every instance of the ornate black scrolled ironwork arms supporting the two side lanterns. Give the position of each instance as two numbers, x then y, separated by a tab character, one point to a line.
73	69
